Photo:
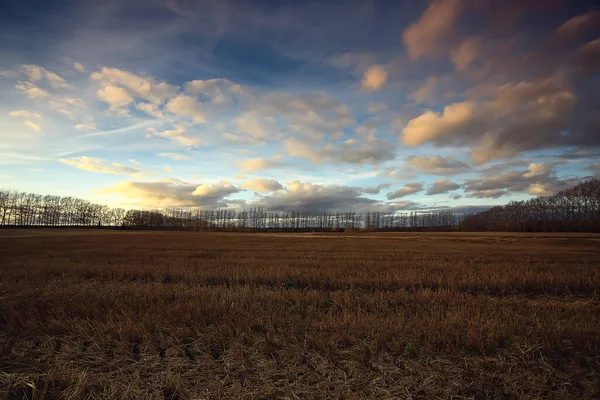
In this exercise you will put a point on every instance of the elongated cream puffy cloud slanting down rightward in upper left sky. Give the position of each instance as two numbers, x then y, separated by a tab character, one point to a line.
146	88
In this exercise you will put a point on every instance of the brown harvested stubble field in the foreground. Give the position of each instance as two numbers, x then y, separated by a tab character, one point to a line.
176	315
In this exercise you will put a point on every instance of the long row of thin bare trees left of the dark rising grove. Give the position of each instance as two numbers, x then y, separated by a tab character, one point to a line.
34	210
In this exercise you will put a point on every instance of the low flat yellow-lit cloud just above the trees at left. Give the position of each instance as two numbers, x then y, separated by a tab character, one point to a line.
174	193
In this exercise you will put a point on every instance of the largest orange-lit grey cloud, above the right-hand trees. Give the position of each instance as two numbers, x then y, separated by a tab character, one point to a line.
495	126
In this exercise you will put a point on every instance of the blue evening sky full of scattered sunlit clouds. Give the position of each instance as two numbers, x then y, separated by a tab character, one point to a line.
355	105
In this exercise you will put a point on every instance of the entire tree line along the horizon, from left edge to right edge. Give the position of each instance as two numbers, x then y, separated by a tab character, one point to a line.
573	210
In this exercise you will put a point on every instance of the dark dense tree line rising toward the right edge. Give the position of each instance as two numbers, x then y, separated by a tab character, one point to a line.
576	209
